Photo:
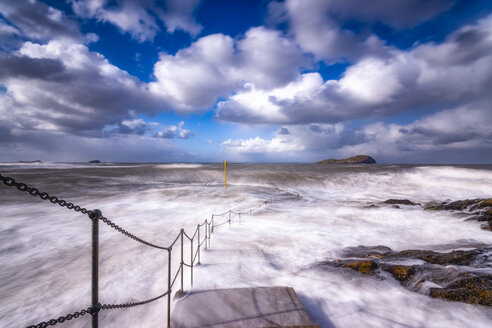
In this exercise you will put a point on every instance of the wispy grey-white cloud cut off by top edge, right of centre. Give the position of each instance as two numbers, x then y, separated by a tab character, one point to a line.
318	26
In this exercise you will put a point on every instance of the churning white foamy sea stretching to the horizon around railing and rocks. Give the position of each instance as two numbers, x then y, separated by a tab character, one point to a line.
362	245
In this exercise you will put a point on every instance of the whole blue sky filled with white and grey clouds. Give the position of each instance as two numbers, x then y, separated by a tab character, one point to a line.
293	81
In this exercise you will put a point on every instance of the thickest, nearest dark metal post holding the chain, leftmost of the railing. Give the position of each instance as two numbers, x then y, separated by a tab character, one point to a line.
95	216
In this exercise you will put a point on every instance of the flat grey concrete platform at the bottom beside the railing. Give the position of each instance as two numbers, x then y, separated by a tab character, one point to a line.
240	307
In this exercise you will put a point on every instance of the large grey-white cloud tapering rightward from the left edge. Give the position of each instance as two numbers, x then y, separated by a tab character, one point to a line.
61	86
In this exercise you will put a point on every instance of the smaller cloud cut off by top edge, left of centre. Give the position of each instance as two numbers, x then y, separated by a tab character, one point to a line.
141	18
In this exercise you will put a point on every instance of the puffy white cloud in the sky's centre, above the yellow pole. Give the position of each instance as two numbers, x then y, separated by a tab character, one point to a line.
216	65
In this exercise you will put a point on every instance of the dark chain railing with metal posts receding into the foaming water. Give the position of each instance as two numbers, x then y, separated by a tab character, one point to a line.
95	216
